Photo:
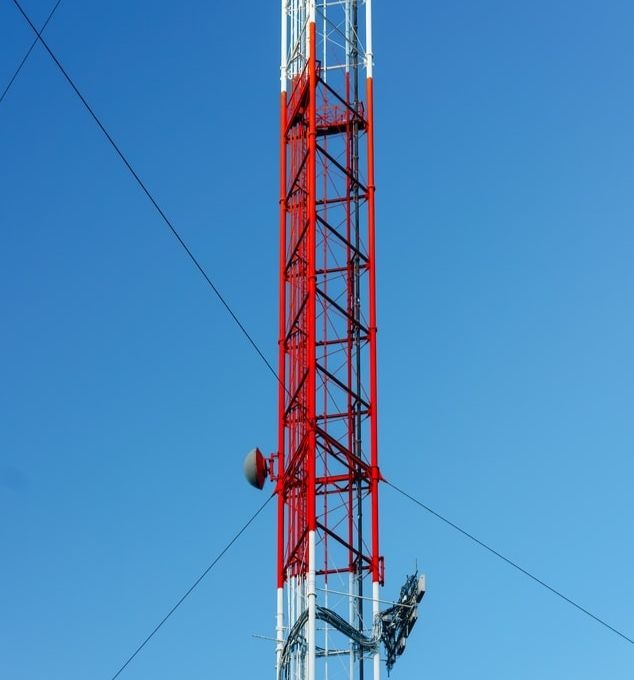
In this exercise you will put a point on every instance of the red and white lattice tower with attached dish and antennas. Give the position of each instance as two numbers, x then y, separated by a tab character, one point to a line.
326	468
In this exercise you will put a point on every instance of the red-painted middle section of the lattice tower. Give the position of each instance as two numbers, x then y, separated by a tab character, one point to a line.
326	466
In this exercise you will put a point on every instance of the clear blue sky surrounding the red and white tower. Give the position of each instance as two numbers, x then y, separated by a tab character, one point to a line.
505	160
